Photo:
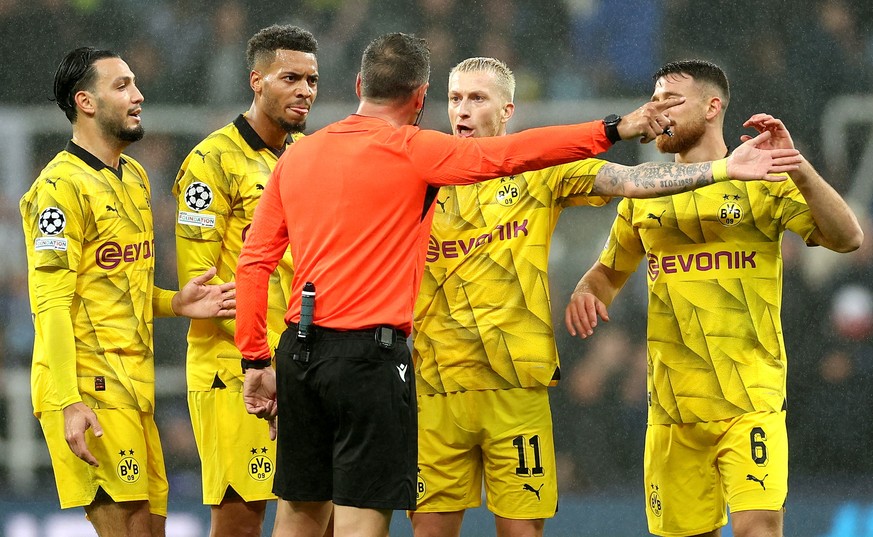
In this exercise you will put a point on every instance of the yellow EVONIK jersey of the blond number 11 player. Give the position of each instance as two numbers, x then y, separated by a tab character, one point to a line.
483	318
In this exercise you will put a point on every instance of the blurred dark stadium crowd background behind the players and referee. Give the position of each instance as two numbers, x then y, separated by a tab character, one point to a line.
808	62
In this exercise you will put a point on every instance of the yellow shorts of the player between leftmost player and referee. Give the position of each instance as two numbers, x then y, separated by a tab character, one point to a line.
235	447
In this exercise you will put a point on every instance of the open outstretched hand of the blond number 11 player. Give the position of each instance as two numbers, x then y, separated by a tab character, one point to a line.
752	160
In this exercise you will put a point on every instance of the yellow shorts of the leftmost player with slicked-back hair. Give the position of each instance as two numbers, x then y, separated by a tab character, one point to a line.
129	453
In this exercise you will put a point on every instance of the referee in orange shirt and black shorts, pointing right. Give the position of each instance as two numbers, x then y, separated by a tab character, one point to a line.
355	202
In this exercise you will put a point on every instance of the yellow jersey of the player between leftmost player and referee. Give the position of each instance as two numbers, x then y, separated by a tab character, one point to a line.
217	189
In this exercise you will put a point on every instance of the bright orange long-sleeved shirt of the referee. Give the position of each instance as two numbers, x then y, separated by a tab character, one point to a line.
355	201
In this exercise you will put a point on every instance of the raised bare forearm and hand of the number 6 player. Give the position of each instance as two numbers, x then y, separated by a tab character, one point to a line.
837	227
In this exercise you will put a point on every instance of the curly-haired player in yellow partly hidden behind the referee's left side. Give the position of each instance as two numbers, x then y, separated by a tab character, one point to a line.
217	189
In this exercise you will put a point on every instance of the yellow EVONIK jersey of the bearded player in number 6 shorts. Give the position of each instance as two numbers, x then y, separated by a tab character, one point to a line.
714	267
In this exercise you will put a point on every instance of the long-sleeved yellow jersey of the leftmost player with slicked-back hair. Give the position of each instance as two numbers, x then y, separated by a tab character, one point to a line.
84	217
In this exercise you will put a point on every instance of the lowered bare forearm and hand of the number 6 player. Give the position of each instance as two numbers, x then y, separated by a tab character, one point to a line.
594	292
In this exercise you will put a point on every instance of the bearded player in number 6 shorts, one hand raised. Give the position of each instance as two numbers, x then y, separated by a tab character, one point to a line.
716	435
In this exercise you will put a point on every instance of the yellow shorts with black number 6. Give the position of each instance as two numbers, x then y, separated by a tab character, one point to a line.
694	471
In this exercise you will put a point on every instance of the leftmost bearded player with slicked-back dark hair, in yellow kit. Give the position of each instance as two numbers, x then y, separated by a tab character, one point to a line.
90	252
